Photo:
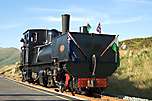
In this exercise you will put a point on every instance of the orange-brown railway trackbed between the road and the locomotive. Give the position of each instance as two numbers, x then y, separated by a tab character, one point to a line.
104	97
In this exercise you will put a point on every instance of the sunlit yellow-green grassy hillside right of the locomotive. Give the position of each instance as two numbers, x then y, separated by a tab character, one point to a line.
134	76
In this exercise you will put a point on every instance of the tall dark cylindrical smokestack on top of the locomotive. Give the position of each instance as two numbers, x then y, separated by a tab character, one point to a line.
65	23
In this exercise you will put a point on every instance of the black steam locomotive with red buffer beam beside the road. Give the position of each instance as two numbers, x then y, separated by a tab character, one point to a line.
74	61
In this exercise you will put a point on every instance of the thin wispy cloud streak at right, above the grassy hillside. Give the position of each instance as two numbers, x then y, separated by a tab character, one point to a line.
123	21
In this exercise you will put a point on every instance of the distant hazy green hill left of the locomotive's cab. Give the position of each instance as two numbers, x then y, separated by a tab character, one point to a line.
8	56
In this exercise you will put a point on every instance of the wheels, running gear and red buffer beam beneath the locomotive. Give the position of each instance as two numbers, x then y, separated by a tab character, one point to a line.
49	75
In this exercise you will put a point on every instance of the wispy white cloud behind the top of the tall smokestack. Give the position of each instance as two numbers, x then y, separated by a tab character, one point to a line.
82	14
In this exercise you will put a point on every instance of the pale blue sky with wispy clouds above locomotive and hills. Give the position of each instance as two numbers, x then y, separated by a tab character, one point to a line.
127	18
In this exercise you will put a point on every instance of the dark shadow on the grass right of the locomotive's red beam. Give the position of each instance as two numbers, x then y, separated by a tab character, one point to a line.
125	87
